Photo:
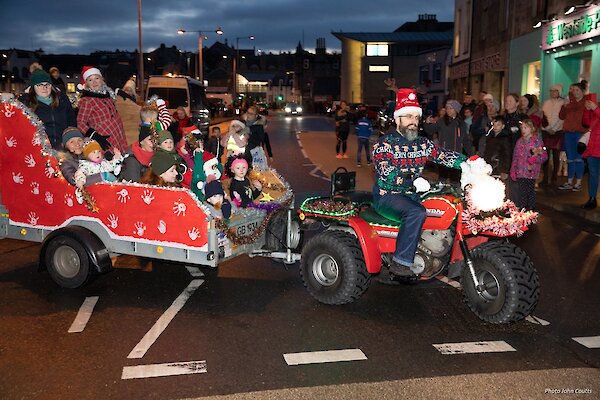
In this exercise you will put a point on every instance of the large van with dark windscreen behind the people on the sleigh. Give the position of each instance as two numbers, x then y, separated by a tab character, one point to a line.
182	91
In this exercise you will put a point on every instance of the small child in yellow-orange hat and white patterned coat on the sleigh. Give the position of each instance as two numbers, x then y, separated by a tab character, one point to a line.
95	163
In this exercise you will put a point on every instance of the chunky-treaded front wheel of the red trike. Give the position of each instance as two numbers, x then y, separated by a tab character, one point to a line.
508	283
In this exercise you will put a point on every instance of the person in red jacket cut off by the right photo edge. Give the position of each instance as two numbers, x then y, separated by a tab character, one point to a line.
592	153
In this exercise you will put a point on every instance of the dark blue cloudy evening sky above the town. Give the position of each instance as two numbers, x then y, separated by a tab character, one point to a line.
81	27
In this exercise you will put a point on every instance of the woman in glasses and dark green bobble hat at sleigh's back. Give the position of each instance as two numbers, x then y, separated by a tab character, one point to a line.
50	105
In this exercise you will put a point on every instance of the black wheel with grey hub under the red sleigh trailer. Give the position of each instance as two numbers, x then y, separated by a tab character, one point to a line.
68	262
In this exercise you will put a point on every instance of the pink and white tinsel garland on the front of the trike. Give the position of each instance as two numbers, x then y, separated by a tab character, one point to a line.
505	221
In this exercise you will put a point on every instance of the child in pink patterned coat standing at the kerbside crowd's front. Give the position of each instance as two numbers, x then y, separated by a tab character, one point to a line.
528	156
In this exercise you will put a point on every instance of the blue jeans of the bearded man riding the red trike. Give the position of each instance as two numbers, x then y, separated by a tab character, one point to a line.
399	207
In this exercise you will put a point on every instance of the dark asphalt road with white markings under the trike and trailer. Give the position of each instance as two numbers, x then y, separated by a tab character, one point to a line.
238	323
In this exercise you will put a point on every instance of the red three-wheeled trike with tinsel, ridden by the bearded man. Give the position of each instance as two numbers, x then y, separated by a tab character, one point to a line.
499	281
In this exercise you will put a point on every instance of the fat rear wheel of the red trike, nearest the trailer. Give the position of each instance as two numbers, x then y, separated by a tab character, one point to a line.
333	268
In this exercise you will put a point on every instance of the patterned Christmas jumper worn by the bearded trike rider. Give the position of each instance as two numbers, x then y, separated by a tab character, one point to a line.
398	161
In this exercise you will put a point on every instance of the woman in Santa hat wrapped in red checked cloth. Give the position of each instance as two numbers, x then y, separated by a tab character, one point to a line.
98	118
